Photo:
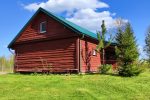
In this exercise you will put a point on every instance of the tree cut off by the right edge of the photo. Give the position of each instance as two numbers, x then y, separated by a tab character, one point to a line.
147	46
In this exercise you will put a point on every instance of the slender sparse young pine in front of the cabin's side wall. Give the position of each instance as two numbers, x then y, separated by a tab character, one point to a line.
102	45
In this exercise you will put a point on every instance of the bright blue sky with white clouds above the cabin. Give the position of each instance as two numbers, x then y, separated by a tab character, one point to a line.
15	13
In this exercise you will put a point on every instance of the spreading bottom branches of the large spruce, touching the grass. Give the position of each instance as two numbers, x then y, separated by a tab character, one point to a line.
129	70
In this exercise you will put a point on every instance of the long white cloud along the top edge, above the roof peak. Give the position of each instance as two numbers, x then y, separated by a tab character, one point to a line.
67	5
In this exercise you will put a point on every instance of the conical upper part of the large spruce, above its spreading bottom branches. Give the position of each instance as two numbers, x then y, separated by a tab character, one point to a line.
127	47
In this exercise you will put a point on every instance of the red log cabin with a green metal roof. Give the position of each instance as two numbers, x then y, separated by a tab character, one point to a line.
51	43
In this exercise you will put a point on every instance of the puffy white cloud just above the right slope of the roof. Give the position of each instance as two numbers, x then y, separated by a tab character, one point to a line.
91	20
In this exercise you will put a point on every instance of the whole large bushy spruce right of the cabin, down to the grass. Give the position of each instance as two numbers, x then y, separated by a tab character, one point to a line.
126	51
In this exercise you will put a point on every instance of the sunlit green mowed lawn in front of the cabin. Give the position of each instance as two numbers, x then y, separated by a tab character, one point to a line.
74	87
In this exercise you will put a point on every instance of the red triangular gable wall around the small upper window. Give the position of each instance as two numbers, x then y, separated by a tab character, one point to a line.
54	29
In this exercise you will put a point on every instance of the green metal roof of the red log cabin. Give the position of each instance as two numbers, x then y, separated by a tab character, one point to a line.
72	26
